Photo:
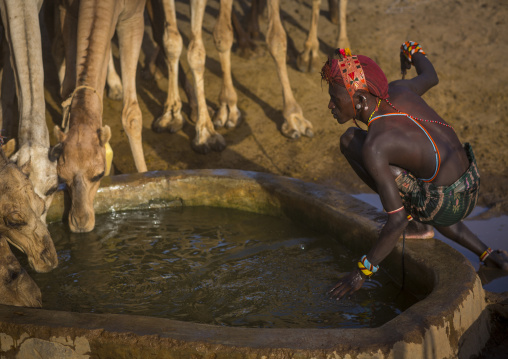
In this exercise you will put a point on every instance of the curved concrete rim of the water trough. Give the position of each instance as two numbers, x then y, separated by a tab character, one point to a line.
289	197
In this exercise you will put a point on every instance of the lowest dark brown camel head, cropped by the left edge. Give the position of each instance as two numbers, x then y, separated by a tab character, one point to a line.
16	286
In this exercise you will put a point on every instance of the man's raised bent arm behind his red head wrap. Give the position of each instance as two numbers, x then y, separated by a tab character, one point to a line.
426	74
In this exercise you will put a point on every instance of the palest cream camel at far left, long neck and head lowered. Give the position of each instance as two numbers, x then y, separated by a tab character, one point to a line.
21	24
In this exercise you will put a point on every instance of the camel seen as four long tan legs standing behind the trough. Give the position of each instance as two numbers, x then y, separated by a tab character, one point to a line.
228	115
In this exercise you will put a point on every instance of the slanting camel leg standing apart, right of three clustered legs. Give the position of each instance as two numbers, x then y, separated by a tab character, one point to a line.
294	124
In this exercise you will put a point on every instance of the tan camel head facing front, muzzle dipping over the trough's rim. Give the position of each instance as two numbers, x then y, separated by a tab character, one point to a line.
81	165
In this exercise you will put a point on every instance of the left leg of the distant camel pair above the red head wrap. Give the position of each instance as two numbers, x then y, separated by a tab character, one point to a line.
309	60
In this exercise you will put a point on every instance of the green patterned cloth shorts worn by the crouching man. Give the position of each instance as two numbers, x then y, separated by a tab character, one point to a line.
441	205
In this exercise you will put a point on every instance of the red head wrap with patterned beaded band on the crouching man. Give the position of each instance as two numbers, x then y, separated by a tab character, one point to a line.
355	72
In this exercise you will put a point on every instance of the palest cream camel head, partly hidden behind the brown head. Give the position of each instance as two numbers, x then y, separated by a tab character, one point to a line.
34	161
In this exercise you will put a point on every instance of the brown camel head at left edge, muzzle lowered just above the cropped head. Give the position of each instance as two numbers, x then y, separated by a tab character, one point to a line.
20	217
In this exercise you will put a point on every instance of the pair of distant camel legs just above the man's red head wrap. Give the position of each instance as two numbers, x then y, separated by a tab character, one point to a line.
309	59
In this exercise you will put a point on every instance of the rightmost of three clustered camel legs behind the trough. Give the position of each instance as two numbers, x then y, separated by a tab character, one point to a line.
228	114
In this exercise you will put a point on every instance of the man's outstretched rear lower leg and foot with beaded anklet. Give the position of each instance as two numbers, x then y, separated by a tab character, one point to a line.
460	234
